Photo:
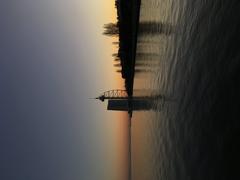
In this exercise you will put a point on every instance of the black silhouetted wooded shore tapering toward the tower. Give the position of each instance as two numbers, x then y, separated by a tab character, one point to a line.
126	29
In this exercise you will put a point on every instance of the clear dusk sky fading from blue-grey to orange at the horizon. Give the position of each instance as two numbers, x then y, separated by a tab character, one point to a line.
53	58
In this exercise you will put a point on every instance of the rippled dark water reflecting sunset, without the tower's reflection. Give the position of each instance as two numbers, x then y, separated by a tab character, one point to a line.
188	51
